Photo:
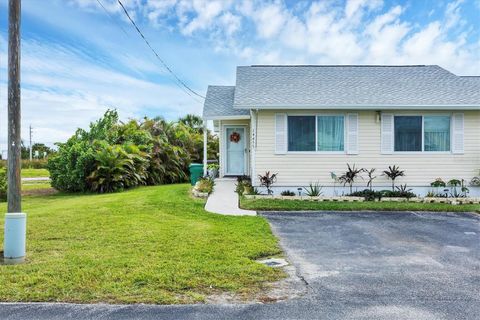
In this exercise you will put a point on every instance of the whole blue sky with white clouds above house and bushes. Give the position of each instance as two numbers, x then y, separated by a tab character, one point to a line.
78	60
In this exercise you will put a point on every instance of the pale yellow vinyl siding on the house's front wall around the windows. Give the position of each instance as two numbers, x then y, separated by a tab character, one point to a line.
298	169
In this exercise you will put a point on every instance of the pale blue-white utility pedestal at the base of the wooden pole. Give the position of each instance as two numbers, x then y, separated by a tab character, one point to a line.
15	238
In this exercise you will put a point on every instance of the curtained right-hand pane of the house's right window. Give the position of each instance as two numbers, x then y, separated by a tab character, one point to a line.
437	133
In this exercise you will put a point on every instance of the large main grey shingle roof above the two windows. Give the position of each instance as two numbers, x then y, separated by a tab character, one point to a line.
357	86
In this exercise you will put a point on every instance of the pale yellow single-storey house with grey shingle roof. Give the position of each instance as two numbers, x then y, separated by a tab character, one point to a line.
304	122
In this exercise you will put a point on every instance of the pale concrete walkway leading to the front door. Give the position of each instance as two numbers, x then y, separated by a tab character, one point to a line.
224	199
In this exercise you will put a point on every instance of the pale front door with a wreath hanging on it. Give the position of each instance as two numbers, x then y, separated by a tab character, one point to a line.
236	150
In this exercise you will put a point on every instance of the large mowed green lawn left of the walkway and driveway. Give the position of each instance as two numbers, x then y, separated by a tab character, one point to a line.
148	245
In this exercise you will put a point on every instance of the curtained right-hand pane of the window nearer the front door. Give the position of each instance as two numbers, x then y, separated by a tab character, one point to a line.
330	133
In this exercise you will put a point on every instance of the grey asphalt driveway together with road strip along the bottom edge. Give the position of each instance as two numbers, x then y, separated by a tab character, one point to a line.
415	266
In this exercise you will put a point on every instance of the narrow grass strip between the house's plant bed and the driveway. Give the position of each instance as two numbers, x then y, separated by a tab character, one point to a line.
293	205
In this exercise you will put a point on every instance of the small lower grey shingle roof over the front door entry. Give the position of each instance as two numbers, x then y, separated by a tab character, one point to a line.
219	103
